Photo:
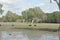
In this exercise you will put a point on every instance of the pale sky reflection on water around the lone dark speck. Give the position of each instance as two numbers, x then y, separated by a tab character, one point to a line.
14	36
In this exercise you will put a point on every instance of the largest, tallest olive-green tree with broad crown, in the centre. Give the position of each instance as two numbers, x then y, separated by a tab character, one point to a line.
33	13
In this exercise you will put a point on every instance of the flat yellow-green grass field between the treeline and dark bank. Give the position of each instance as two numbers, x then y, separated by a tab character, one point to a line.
18	25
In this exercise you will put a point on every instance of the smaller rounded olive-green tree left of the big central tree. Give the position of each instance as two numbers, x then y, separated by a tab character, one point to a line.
10	17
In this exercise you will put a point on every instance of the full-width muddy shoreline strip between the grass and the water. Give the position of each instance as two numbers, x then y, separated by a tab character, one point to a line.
35	29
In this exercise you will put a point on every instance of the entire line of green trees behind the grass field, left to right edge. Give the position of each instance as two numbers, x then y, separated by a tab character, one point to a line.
35	15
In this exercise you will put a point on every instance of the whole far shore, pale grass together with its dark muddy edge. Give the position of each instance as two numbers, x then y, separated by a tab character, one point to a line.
27	26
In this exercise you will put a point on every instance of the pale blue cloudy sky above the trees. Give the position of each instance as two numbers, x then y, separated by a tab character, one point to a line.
18	6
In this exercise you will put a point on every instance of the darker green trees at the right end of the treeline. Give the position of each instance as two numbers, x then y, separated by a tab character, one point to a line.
53	17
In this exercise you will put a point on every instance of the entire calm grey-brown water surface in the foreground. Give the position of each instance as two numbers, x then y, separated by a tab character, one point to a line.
28	35
